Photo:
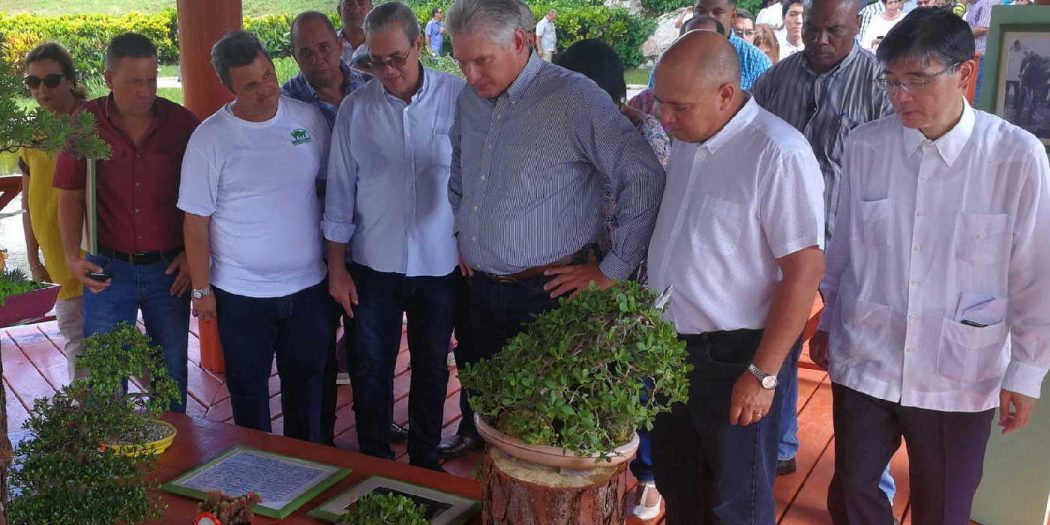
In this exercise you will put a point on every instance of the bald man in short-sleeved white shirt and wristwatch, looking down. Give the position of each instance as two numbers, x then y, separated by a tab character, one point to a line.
740	237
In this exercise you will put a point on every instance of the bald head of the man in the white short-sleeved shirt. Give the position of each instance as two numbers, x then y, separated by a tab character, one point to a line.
699	86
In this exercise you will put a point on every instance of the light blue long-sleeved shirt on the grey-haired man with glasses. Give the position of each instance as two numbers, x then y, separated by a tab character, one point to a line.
388	186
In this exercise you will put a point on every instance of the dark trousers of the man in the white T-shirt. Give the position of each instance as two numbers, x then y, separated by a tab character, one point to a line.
297	329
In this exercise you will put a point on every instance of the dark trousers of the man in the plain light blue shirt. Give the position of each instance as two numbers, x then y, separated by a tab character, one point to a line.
428	304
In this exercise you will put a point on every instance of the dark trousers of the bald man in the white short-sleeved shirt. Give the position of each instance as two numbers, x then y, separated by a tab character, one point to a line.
708	471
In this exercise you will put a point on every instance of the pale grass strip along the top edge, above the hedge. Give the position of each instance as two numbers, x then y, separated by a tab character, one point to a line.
251	8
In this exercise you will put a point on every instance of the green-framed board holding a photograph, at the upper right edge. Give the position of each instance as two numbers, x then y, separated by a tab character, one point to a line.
1016	83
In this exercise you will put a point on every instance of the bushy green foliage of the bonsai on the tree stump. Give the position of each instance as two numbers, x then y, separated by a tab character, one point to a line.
576	377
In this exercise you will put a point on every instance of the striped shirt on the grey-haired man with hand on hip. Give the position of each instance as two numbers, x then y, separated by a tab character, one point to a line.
529	169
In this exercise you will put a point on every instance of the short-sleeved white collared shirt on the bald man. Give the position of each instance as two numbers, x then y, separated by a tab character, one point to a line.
732	206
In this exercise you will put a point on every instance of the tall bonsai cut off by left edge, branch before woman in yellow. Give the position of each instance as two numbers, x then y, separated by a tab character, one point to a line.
20	128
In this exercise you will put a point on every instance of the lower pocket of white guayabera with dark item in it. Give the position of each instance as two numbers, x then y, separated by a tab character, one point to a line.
971	354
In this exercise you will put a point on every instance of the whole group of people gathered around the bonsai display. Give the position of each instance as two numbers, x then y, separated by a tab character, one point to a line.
817	145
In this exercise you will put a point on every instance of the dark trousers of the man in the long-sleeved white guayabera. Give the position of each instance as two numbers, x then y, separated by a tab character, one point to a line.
946	452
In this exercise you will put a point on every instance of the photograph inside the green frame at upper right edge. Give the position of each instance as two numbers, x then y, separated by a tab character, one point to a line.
1023	97
